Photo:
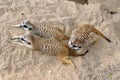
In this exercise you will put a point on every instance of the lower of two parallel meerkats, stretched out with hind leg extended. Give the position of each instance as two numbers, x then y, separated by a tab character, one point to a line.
49	46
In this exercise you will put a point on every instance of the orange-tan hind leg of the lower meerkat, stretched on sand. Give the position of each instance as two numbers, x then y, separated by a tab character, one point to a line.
65	59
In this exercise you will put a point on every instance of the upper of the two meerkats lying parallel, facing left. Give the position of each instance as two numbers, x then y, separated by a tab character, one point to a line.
45	30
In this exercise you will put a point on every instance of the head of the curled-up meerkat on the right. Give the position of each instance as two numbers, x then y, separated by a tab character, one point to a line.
74	43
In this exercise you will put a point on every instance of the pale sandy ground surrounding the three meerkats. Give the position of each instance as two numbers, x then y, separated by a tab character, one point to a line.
20	63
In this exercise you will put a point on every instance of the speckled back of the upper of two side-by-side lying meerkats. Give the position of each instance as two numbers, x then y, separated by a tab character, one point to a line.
47	31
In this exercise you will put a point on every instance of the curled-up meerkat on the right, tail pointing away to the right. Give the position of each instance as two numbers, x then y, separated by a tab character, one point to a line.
84	36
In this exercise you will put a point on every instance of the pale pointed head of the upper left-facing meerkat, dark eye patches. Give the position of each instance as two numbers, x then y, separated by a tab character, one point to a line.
26	25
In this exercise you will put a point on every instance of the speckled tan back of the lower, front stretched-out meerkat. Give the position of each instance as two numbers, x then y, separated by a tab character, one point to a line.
49	46
